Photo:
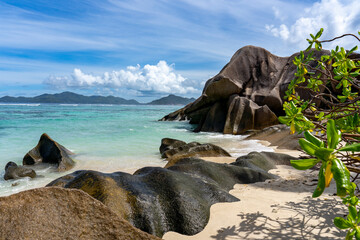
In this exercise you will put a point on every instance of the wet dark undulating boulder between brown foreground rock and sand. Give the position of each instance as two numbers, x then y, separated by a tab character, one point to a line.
157	200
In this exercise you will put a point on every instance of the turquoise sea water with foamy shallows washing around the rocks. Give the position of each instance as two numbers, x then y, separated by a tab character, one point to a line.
105	138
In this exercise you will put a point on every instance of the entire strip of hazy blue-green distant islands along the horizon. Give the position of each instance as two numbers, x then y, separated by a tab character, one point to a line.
74	98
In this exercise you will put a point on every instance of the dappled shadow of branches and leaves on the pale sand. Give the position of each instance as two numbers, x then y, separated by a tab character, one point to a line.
309	219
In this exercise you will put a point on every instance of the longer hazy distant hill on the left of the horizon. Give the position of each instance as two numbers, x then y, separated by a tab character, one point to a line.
68	97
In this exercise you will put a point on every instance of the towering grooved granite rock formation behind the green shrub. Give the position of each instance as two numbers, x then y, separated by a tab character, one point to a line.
246	94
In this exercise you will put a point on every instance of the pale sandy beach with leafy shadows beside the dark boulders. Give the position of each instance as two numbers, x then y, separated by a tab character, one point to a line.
274	209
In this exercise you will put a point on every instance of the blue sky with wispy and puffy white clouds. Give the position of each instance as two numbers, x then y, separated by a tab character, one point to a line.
146	49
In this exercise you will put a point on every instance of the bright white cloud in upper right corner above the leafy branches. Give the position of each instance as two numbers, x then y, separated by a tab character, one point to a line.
335	16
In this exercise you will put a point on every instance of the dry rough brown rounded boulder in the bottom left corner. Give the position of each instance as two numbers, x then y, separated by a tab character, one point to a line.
58	213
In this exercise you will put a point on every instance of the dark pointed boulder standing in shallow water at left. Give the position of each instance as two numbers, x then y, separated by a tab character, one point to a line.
49	151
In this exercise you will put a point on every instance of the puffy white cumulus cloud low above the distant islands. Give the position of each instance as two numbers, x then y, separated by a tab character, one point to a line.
160	78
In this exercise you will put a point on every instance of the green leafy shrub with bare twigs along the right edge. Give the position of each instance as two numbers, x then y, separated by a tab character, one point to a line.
330	110
